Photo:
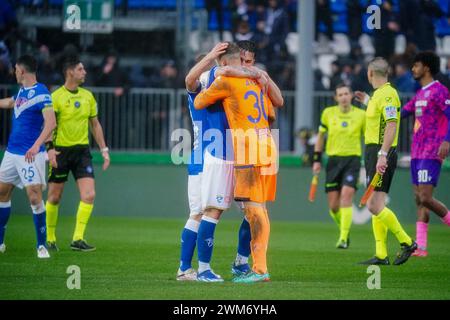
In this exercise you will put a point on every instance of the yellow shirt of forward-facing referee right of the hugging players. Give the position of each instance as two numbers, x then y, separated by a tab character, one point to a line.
344	130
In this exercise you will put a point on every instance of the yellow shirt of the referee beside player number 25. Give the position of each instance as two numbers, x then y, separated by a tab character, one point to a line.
73	111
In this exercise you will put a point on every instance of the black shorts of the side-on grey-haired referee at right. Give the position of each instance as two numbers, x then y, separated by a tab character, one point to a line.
371	159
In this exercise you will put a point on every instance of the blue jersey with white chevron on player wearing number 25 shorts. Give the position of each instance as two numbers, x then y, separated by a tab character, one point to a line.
27	118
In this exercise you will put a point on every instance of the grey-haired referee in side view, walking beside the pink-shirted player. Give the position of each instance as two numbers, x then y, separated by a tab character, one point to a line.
381	137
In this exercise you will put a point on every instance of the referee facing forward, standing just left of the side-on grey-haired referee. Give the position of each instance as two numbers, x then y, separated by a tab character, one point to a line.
344	126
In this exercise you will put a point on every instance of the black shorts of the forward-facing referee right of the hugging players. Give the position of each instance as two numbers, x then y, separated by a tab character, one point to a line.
342	171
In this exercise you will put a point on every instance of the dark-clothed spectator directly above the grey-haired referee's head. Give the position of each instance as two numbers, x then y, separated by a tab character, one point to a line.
384	38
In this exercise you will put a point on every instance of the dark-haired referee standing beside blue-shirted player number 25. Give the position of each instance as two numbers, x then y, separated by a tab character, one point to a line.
76	112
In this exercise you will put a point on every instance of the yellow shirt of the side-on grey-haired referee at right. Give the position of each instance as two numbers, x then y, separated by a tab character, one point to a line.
383	107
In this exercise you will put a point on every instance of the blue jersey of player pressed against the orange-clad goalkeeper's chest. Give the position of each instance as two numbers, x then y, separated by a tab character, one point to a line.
217	120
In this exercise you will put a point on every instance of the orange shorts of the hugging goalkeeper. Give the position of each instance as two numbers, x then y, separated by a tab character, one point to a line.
254	184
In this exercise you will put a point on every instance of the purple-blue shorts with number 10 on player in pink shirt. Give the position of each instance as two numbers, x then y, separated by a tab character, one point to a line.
425	171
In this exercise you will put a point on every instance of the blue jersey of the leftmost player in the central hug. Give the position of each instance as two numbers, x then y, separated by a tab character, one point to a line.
199	125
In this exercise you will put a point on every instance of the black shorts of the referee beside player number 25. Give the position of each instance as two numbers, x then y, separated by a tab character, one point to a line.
76	159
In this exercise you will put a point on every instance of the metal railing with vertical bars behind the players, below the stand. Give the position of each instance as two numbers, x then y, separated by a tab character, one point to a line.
143	119
